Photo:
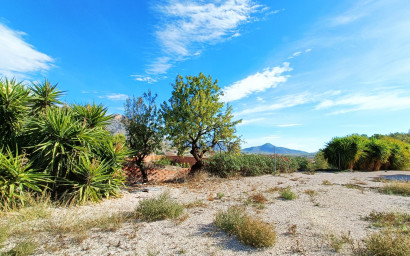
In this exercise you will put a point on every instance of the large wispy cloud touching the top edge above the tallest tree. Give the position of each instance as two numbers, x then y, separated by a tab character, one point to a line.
194	22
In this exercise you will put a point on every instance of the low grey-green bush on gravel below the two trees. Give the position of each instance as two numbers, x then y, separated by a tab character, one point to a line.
160	208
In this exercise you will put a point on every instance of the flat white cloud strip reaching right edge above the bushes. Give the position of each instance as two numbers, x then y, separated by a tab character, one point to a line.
381	101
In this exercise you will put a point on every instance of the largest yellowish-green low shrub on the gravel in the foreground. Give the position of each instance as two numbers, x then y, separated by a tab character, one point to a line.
248	230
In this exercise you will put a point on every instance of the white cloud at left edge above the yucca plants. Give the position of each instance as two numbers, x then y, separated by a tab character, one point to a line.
19	57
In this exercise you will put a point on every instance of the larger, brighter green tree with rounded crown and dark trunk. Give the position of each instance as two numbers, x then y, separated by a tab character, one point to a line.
195	118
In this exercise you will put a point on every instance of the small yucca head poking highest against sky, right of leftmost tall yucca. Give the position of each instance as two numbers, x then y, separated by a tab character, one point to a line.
45	95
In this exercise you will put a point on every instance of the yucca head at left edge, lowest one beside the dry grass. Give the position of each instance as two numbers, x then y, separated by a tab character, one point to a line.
17	179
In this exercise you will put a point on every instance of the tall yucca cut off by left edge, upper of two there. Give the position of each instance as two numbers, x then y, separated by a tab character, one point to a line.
14	100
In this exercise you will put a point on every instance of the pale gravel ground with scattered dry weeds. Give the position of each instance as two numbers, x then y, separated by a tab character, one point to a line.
335	209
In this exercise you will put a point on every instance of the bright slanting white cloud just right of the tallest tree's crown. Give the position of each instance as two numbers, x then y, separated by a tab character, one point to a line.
259	82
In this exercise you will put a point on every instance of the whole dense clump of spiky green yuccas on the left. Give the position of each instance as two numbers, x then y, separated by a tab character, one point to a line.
64	149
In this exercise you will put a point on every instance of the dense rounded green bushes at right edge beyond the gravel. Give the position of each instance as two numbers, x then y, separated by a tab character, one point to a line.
360	152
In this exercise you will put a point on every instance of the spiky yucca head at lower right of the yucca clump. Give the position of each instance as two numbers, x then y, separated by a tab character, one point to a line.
92	180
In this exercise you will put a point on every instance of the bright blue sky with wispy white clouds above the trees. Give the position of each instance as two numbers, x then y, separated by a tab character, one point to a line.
296	72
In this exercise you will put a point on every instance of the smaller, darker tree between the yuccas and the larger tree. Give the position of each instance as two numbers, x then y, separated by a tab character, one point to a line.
144	128
